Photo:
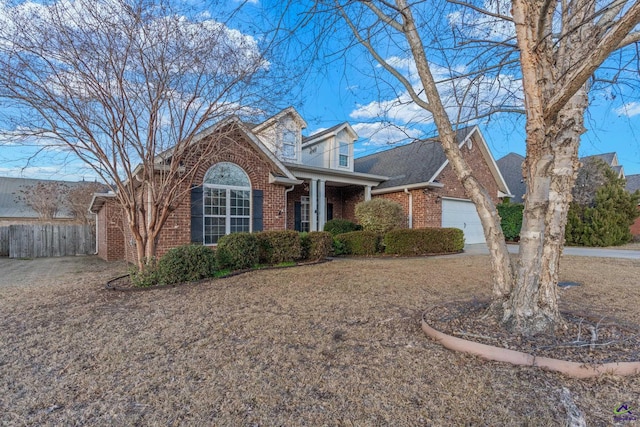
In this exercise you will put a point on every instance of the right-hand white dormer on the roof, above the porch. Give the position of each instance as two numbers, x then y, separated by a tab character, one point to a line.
331	148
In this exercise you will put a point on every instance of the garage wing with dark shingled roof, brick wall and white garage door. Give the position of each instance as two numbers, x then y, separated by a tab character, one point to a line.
423	182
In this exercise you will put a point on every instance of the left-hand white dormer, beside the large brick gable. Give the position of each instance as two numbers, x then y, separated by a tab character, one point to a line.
282	134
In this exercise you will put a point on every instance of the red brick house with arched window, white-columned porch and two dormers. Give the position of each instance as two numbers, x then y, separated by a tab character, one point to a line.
273	178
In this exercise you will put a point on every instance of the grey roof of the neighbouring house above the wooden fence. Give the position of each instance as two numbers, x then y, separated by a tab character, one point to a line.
11	205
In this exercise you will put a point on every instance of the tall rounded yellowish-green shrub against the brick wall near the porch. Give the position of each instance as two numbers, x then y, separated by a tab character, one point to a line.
380	215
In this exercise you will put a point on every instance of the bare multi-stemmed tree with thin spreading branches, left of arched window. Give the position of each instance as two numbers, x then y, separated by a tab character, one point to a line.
127	86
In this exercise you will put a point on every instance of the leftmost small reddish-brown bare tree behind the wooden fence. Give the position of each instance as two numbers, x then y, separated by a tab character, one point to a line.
47	198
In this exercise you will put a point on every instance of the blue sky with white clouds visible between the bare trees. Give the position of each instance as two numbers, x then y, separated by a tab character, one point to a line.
341	89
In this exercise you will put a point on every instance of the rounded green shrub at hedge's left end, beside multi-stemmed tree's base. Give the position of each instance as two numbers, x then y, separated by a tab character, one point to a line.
186	263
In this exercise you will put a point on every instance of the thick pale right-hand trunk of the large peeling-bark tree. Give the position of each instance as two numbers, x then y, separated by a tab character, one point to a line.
533	306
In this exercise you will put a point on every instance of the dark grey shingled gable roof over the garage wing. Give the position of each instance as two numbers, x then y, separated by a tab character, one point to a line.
420	162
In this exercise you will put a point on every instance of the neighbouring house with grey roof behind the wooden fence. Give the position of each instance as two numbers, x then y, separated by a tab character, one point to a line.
15	210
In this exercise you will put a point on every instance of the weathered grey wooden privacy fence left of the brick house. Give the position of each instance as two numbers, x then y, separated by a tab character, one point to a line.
36	241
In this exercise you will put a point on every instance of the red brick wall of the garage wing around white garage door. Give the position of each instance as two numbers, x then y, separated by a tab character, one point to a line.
427	203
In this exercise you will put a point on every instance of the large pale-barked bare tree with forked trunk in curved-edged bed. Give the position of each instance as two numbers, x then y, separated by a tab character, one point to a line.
555	46
